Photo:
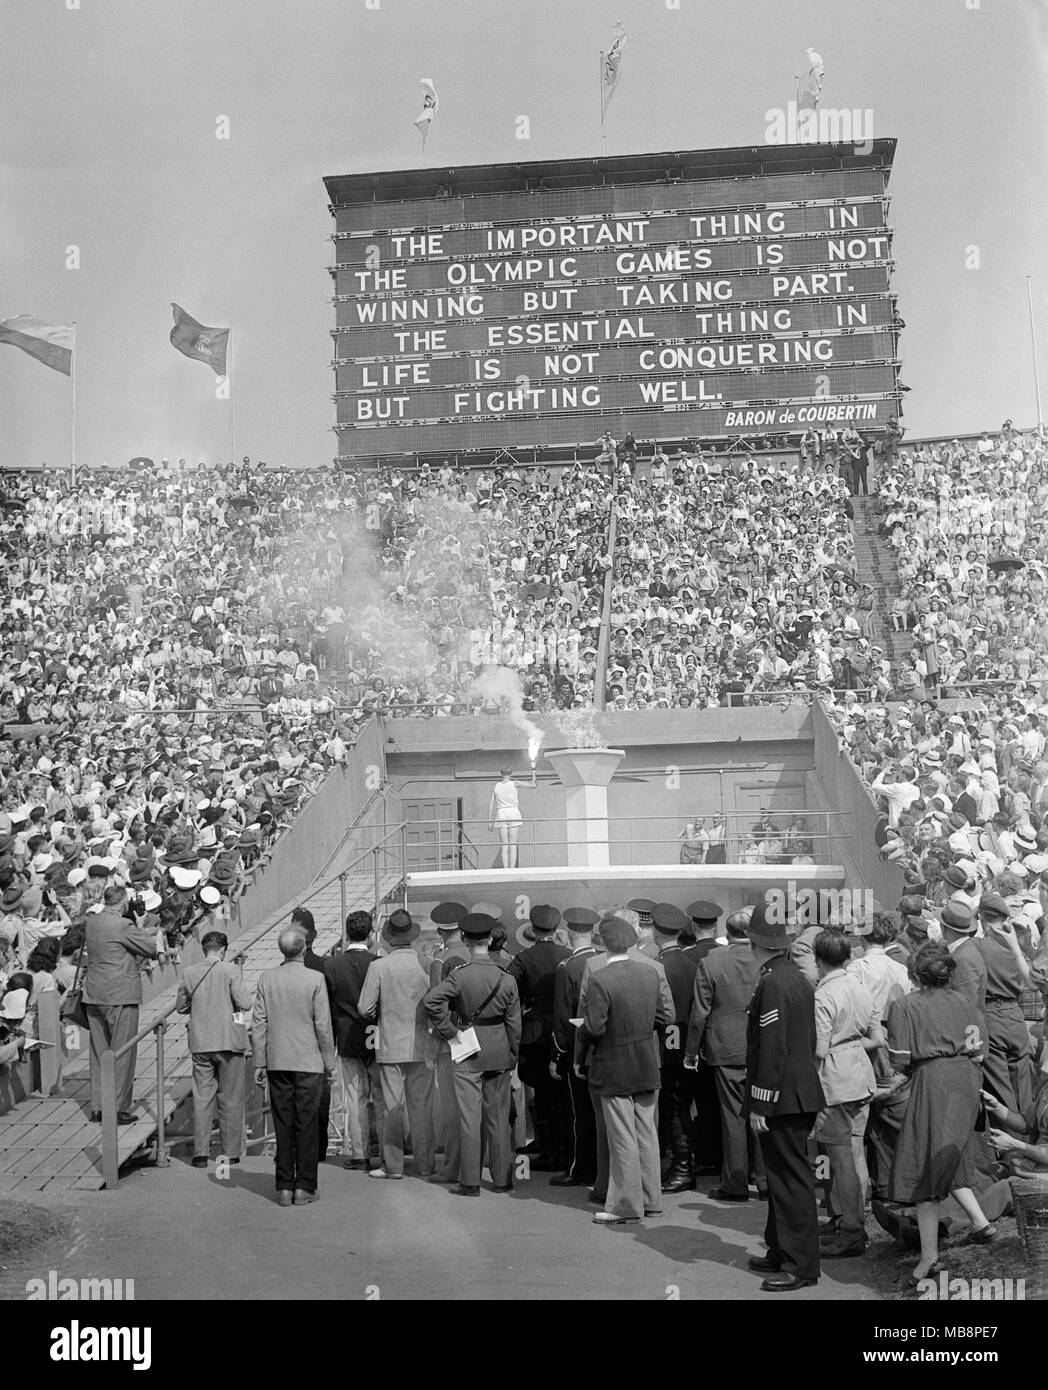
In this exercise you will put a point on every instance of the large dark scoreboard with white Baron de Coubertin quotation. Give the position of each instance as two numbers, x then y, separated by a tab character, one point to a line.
691	295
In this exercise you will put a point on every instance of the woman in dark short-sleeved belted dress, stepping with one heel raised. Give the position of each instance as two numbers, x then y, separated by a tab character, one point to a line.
935	1036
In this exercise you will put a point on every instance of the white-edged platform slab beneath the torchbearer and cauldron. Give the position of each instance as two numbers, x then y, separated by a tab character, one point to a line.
732	886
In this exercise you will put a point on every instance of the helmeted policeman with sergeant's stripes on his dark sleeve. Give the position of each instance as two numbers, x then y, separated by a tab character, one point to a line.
783	1099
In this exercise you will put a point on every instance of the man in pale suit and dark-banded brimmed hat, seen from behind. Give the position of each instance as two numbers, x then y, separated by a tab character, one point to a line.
394	990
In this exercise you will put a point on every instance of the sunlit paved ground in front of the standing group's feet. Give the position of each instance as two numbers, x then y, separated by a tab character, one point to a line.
181	1234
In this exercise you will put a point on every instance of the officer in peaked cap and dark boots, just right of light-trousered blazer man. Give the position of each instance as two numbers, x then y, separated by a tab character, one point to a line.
676	1095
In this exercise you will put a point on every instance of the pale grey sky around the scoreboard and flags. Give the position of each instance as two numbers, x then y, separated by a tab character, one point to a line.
117	198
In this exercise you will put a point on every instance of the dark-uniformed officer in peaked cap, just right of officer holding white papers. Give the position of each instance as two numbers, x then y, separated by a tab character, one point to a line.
534	971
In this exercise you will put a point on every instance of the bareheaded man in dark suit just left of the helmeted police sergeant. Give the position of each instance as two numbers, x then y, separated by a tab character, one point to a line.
725	985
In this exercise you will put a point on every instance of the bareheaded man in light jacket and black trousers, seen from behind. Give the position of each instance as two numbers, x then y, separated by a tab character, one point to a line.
294	1050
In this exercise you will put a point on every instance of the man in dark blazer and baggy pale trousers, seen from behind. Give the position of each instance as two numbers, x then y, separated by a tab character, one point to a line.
622	1010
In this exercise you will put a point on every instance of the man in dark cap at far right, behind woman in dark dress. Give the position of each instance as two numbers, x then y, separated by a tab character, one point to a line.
1007	1058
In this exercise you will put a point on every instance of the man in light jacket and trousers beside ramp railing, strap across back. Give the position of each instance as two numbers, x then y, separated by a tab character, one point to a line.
212	992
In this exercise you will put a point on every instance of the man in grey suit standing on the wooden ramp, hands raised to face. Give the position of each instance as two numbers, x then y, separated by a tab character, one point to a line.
116	949
